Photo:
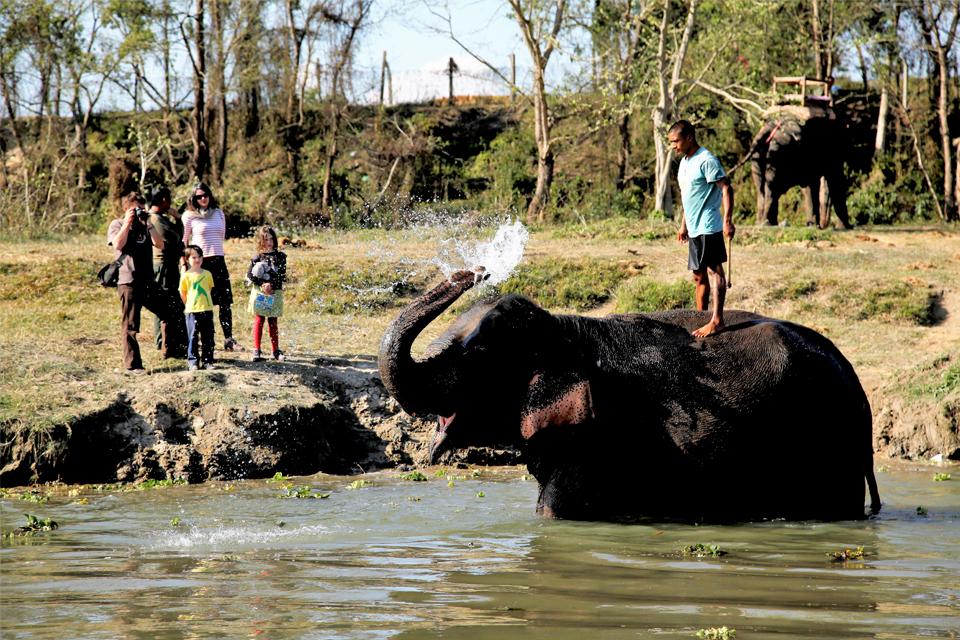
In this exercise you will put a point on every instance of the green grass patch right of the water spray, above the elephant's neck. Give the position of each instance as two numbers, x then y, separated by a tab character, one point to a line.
568	284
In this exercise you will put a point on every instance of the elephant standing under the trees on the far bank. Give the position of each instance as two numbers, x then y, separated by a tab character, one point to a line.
799	146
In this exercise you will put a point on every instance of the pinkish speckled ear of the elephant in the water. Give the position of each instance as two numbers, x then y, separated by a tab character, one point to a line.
555	399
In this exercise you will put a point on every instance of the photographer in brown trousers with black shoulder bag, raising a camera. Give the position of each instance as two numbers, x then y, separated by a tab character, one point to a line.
132	237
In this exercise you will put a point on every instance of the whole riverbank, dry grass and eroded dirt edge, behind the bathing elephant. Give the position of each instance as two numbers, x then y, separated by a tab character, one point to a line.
886	296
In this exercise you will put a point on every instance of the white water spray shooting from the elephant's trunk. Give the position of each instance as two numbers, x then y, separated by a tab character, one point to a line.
500	255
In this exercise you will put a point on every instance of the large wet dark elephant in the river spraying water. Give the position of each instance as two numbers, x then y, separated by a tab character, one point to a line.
630	416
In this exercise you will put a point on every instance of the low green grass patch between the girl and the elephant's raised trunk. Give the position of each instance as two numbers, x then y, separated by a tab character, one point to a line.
365	288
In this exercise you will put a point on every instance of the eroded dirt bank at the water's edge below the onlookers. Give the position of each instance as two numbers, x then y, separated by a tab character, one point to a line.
301	417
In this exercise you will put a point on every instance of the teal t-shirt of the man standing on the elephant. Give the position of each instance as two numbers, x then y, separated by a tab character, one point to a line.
698	176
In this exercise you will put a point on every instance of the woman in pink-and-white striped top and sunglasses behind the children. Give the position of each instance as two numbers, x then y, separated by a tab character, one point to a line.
205	225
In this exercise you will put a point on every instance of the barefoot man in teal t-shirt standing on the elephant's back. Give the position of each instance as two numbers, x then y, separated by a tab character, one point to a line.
705	190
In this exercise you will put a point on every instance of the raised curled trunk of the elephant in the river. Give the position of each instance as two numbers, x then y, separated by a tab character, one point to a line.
421	386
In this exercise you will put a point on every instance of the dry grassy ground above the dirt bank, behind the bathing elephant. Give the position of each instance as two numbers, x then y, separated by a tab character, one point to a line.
864	290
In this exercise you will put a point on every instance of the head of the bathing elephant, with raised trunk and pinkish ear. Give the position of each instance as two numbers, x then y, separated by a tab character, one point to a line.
488	377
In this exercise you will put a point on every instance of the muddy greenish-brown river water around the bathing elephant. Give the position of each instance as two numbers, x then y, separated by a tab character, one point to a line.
401	559
